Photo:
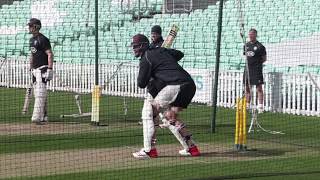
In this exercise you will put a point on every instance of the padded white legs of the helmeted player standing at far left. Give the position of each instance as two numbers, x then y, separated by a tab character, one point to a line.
40	95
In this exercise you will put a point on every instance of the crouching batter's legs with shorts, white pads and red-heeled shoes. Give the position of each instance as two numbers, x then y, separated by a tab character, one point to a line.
169	102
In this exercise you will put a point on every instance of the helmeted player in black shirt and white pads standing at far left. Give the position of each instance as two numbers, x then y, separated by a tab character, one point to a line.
41	64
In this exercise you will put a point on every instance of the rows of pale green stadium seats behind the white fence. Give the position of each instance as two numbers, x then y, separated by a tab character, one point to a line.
73	30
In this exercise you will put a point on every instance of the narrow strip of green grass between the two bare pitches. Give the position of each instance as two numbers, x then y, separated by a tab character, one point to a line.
37	143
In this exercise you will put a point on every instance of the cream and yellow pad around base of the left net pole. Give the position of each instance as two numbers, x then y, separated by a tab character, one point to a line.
96	94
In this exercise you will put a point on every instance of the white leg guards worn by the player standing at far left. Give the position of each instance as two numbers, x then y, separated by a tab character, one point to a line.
40	97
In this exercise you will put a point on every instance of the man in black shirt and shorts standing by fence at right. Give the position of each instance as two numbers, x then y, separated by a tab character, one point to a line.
256	55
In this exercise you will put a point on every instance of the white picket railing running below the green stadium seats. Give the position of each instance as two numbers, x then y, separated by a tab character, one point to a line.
287	93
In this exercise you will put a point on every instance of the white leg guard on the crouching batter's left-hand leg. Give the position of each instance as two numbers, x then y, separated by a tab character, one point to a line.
148	125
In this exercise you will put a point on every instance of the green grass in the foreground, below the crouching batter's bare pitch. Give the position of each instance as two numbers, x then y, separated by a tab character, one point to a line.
308	167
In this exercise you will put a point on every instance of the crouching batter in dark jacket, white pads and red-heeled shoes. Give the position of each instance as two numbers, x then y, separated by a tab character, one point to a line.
171	90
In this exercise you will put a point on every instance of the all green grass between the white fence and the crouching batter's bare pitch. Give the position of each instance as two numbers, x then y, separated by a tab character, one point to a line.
299	130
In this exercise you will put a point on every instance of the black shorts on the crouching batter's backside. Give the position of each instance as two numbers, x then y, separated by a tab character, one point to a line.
185	95
